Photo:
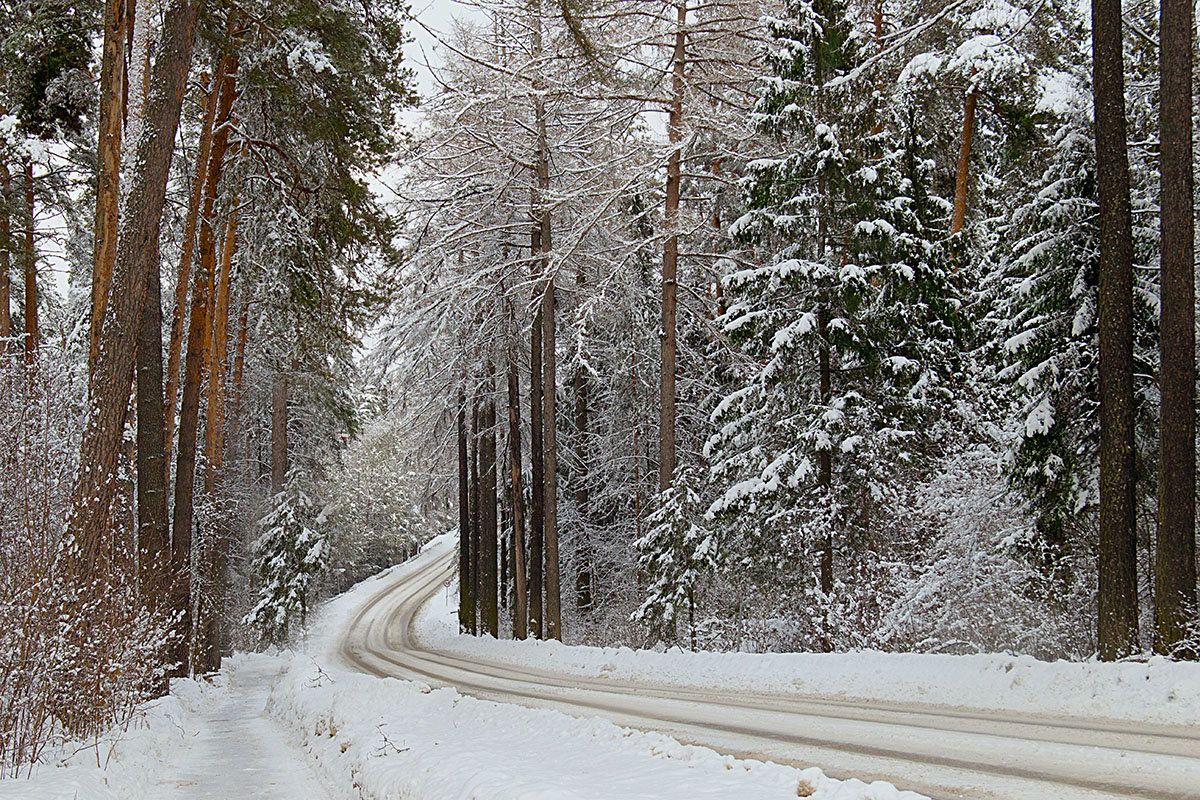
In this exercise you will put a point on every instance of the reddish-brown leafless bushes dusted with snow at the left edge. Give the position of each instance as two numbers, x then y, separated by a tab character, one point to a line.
73	663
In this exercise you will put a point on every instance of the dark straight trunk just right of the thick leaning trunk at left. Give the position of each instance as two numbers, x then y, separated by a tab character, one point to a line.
154	549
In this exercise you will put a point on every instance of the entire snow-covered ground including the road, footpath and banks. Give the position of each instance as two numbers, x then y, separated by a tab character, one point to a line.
311	726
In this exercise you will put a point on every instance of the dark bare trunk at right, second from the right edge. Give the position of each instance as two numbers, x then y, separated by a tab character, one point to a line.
1119	534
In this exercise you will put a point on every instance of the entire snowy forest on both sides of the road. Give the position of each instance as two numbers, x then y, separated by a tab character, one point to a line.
737	326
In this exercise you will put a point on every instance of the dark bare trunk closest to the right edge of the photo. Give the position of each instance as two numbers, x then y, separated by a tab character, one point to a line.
1175	568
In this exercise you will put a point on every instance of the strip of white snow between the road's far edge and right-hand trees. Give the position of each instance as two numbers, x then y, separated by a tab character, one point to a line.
1157	691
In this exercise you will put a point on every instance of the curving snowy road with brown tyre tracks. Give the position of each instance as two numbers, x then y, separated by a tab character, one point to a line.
946	754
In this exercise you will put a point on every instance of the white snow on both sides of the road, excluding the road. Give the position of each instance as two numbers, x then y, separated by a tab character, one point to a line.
305	726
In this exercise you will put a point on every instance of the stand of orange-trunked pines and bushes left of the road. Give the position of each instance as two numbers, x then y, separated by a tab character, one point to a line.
179	417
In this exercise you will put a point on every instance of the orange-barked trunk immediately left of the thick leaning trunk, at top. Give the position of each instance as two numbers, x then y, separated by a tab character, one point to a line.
112	112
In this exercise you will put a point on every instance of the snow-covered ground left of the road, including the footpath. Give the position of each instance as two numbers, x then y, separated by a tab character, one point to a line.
305	727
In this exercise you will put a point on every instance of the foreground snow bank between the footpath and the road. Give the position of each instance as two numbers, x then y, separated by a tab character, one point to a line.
401	739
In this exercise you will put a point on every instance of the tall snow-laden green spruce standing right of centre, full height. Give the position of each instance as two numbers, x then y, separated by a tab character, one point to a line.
849	333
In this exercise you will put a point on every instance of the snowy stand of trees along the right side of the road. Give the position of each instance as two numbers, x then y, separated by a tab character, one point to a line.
849	324
